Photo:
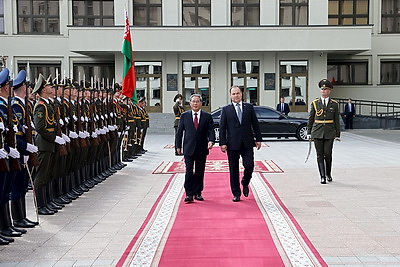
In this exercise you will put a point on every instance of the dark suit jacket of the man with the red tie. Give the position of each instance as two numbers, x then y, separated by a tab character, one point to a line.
195	140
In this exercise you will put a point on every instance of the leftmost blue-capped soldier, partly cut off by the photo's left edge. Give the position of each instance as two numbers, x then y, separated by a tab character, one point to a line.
8	166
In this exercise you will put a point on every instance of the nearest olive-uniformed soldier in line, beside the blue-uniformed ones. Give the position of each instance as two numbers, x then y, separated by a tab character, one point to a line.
46	140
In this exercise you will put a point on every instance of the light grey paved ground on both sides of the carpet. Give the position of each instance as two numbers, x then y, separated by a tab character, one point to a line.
353	221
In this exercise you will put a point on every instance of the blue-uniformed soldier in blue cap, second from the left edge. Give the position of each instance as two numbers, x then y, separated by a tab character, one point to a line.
26	148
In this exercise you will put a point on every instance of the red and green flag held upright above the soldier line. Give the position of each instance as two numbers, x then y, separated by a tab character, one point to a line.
129	76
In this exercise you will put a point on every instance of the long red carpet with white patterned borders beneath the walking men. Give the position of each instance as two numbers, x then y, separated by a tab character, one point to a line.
257	231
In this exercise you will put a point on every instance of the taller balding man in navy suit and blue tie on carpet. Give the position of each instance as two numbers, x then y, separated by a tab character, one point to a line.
239	132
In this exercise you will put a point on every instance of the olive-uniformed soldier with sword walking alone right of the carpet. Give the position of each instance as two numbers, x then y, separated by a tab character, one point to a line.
324	128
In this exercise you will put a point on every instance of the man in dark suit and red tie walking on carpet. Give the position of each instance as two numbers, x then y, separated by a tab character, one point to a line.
196	129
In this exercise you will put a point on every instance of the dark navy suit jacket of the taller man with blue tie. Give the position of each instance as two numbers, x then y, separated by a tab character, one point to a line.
232	133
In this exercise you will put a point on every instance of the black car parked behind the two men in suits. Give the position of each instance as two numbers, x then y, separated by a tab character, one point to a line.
272	124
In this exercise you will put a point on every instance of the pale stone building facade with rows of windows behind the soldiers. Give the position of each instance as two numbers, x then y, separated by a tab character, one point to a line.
270	48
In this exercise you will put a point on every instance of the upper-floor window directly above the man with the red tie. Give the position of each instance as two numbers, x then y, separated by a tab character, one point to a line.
196	12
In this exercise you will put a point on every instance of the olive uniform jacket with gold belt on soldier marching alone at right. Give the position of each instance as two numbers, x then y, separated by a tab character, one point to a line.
323	122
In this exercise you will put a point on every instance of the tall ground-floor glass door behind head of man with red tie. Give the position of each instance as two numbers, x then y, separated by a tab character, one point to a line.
197	80
